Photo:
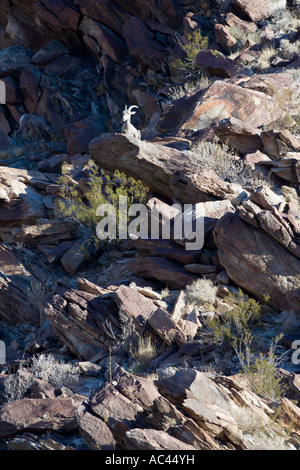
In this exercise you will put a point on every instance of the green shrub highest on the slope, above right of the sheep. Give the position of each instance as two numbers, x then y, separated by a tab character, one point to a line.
192	44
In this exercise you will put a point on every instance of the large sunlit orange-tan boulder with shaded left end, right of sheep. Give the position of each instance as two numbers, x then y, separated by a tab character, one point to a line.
225	99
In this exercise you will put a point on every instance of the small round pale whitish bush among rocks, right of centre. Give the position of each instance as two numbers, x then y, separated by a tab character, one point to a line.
201	292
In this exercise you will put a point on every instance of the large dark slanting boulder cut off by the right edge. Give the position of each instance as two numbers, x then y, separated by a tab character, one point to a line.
257	262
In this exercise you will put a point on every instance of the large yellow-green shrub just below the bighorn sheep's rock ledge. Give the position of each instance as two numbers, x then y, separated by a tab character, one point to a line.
102	189
